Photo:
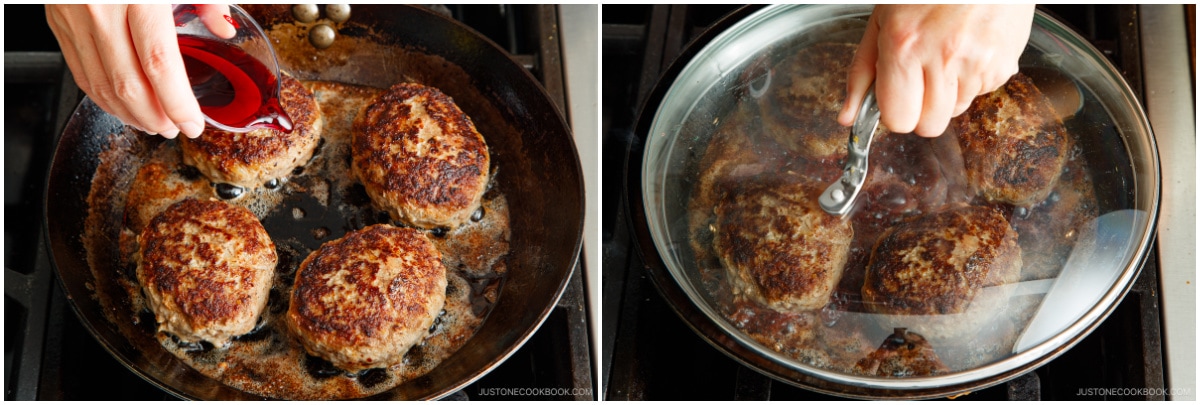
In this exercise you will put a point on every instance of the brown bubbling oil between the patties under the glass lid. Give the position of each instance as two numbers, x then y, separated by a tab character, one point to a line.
910	177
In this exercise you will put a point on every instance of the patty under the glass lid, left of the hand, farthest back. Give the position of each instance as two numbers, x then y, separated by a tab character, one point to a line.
800	106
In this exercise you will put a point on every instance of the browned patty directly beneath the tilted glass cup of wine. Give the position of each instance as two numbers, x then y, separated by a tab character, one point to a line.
253	159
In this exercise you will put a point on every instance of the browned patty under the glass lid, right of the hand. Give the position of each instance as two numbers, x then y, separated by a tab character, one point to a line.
1013	144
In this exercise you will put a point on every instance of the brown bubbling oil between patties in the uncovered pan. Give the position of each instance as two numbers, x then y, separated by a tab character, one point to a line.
317	204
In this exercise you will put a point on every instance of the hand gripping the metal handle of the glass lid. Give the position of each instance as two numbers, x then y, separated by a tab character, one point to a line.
929	62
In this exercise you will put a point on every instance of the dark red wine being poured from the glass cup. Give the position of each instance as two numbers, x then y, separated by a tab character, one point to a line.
232	87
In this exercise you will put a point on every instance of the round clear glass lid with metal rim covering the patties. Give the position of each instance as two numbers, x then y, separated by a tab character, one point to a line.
968	256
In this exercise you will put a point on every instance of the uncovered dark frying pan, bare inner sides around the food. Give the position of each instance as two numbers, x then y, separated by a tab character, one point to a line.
529	138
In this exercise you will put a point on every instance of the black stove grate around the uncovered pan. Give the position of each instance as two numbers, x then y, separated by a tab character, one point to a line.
51	356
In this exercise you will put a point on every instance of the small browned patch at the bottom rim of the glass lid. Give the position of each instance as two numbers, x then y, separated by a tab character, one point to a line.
903	355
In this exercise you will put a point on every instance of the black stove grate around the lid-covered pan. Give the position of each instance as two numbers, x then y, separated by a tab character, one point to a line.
652	354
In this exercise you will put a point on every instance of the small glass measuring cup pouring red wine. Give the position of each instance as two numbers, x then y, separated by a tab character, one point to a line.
233	72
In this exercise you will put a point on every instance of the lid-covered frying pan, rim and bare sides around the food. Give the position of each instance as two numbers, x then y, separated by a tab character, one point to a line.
679	120
